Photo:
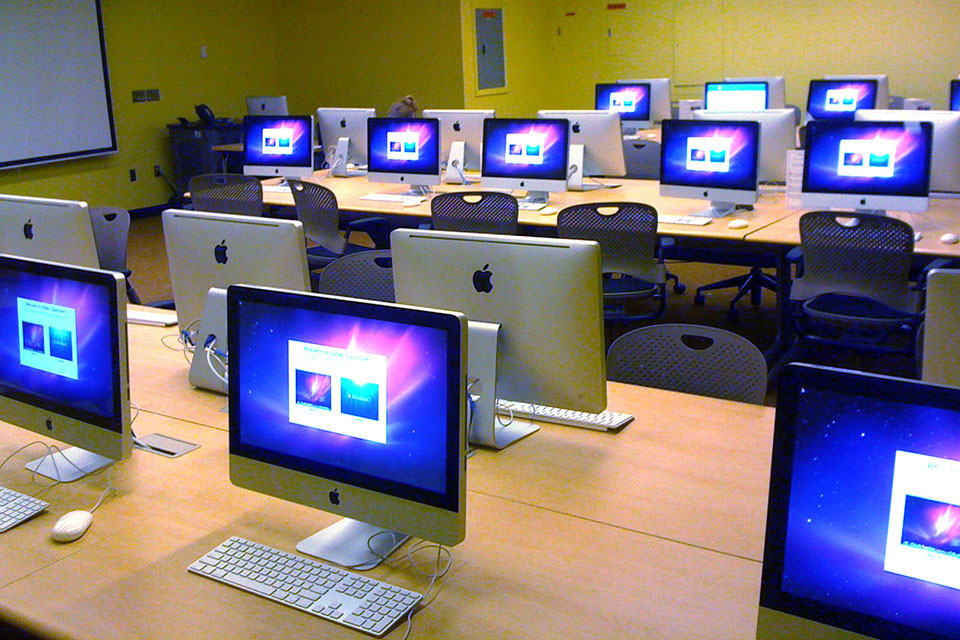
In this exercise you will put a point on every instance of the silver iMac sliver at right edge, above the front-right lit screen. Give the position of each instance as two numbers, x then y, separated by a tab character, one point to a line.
941	335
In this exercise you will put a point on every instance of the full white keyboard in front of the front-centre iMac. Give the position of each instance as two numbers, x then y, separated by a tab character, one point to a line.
320	589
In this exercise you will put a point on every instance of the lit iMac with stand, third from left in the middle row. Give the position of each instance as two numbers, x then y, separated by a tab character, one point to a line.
525	154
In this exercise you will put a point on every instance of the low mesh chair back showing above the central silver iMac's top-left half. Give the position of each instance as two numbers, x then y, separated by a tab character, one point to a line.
475	211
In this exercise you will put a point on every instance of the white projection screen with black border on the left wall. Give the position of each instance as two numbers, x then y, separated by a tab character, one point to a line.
54	83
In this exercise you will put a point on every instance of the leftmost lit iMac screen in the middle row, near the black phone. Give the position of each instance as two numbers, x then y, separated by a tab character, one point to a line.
278	146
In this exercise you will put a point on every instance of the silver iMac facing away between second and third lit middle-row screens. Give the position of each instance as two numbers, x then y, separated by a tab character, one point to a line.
461	140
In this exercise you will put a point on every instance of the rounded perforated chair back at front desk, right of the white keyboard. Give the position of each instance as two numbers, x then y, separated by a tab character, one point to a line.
692	359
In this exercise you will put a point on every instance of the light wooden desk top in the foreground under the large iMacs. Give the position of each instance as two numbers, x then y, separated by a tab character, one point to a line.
650	533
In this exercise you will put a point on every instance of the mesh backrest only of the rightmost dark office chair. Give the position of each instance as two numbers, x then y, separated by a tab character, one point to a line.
861	254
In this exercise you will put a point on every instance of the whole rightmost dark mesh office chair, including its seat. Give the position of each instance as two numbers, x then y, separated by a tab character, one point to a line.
855	290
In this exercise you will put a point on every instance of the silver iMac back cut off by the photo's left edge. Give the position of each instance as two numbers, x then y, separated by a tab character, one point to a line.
48	229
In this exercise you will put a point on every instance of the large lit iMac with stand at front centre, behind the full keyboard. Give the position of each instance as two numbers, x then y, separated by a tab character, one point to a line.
354	407
